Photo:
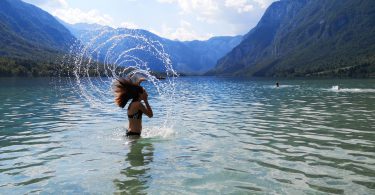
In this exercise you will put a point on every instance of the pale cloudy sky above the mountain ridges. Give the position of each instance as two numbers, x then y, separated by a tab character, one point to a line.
173	19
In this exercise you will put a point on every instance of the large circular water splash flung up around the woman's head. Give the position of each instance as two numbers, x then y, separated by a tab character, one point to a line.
104	55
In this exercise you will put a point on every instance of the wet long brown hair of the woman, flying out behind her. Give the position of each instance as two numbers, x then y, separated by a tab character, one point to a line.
125	90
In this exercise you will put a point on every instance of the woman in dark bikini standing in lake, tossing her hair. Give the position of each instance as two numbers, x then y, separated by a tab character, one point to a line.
125	90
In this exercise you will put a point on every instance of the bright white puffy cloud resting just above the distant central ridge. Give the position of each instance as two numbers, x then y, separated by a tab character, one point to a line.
184	32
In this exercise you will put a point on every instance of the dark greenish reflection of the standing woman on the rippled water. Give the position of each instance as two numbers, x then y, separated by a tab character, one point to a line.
136	173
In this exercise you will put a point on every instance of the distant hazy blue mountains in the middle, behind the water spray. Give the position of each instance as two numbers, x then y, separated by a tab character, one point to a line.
189	57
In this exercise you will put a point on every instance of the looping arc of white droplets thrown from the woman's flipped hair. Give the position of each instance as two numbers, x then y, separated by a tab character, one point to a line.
97	90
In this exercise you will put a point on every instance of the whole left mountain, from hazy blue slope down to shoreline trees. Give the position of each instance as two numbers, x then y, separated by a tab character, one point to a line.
30	39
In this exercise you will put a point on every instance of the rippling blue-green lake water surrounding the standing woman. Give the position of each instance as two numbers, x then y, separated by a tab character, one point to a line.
229	136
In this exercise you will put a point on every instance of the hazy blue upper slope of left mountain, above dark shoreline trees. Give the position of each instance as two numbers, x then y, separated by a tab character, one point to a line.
27	30
